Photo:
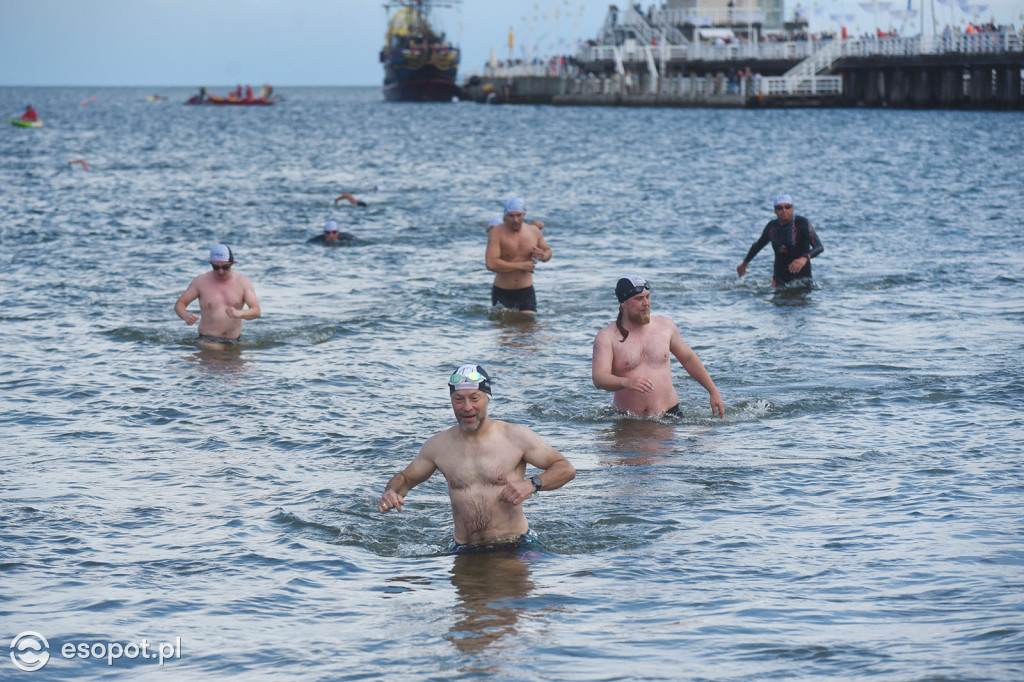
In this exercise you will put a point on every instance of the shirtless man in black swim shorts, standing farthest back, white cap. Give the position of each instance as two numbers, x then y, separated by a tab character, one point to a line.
514	249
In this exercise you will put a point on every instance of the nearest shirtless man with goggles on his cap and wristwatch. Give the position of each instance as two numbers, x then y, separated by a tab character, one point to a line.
485	463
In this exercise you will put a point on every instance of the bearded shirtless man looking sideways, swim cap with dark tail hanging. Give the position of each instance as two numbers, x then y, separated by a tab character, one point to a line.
631	357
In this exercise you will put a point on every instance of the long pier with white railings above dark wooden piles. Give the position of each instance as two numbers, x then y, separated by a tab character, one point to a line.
983	71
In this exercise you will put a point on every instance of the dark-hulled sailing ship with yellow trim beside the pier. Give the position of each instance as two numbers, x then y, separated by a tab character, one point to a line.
419	64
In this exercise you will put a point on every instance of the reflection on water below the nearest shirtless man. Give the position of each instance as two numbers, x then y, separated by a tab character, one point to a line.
488	585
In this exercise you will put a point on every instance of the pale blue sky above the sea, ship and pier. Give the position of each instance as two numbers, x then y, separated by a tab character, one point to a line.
306	42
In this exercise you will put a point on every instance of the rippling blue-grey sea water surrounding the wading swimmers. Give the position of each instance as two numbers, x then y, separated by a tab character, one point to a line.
859	514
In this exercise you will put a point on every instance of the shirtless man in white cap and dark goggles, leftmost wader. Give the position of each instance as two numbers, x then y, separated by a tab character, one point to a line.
223	296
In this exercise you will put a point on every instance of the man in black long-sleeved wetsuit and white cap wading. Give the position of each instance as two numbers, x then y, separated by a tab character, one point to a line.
794	241
